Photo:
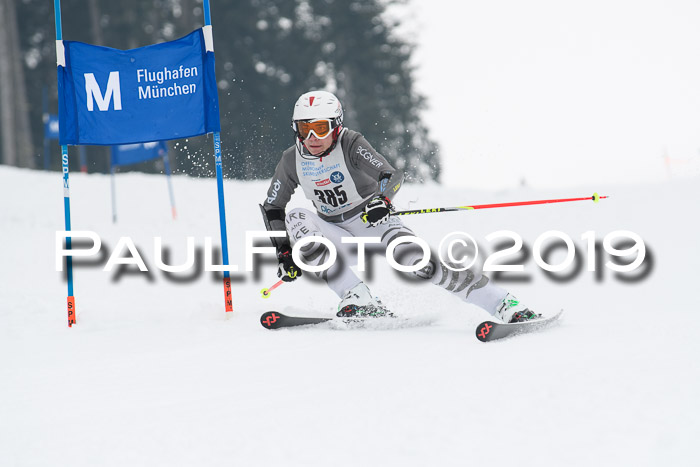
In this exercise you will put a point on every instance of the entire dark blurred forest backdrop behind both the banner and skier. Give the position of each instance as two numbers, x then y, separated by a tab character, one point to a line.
268	52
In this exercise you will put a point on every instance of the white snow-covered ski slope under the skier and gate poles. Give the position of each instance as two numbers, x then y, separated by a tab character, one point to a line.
155	374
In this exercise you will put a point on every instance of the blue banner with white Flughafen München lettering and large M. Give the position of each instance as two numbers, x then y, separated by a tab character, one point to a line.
159	92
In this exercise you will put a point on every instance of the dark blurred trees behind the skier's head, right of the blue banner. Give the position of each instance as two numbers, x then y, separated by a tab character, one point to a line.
280	49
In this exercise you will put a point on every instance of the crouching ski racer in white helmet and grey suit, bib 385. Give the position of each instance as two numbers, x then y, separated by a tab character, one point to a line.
351	186
